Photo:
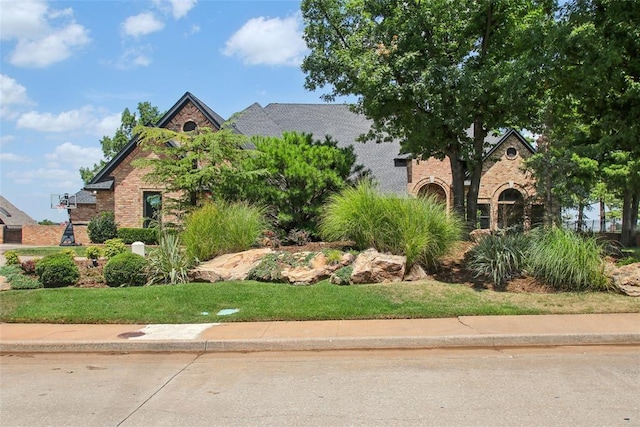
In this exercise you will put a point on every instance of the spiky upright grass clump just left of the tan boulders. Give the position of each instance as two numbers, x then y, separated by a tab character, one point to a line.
168	264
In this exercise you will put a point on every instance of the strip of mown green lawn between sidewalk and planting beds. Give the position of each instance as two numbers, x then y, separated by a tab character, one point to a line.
199	302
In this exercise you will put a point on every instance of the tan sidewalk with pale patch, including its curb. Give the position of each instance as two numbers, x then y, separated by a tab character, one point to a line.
461	332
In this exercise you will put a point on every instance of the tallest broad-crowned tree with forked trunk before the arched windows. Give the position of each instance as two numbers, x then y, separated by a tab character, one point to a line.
426	70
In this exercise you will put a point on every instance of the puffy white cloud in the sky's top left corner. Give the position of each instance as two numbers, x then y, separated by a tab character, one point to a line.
41	40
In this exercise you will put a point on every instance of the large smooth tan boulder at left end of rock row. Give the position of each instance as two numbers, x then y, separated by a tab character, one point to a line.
230	266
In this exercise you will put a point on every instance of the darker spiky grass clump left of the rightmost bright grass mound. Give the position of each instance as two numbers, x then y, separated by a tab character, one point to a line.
499	257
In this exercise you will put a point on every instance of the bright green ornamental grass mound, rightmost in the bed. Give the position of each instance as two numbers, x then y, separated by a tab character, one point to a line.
566	261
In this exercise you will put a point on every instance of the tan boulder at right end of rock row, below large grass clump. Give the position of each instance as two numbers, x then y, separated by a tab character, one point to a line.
372	266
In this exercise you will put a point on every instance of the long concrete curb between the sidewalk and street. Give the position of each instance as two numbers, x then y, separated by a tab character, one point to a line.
322	344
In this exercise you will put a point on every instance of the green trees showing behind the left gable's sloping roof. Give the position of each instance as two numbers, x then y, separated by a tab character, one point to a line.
146	114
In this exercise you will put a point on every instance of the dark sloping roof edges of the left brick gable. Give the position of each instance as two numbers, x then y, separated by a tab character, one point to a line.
102	178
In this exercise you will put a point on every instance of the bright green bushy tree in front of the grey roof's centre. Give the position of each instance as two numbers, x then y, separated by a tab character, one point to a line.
299	174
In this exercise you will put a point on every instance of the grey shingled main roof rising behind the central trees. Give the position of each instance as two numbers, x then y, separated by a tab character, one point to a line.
337	121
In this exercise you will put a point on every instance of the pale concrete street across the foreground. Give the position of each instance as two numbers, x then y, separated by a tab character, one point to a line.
577	386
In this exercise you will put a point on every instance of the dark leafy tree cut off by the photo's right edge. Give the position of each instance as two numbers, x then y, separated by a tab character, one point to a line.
602	74
